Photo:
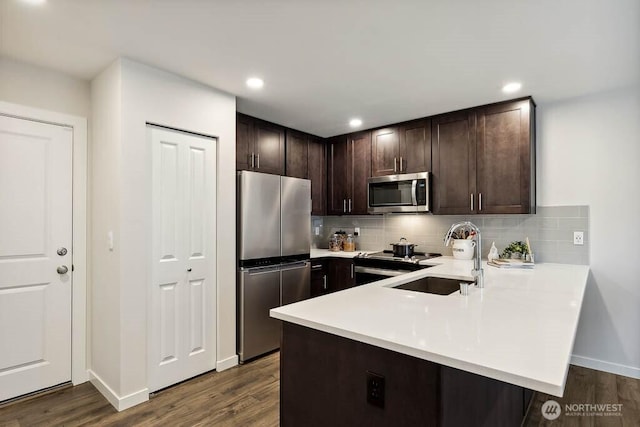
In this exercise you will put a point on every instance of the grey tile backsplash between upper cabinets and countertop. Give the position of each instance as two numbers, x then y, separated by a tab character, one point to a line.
550	231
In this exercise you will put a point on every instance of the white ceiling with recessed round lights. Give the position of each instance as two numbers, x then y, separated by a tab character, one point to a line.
325	62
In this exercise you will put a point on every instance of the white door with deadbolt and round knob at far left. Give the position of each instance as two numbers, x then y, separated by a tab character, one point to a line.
35	221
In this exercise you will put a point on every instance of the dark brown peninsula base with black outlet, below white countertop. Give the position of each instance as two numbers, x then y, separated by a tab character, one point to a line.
324	379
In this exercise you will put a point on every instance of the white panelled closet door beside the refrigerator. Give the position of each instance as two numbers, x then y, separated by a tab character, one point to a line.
182	307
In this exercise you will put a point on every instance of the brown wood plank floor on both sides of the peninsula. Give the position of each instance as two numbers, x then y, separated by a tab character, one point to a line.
248	395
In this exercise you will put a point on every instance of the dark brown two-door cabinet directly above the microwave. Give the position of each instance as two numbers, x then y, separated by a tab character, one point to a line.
403	148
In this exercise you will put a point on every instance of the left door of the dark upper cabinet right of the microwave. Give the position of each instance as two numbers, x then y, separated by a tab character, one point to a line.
454	163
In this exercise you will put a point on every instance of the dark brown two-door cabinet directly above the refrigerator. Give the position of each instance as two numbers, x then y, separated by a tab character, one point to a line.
259	145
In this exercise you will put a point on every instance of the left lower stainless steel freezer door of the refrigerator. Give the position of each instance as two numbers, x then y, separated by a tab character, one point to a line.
258	292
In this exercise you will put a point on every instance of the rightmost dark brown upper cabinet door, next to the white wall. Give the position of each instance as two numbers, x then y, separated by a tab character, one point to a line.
505	158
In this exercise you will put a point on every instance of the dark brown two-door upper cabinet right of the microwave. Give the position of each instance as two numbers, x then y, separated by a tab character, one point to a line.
484	159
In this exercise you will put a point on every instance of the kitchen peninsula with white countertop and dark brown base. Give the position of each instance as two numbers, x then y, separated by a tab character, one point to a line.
375	355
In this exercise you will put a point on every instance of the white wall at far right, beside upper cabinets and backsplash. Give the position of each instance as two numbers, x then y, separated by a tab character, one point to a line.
588	154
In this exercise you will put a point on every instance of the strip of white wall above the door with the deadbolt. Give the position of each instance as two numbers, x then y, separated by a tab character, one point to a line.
34	86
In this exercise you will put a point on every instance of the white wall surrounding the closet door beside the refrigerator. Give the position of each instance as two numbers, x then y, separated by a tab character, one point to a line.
155	96
